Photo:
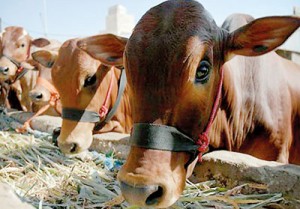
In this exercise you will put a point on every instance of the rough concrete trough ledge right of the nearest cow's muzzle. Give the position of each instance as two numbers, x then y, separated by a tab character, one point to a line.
236	168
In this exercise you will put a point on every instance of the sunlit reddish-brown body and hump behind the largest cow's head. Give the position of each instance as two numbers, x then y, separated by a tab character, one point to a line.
268	114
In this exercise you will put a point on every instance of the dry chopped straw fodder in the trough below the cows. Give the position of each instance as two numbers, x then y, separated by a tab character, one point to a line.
42	176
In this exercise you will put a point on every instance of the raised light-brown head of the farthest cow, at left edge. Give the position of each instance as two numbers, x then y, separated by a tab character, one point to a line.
16	46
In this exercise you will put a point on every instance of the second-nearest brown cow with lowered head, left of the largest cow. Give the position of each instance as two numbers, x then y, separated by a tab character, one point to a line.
86	76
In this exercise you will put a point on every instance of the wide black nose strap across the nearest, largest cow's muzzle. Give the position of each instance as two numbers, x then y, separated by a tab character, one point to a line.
161	137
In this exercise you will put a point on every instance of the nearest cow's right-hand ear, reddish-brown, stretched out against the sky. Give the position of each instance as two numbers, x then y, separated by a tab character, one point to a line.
261	35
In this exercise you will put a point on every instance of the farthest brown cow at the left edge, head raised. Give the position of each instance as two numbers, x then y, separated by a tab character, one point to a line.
16	49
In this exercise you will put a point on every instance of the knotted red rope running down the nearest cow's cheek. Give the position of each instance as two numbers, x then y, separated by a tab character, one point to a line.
203	140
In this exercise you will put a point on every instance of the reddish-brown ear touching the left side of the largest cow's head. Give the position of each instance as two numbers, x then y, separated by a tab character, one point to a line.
106	48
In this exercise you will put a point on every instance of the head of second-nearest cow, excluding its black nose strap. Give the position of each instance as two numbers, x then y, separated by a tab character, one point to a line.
81	73
